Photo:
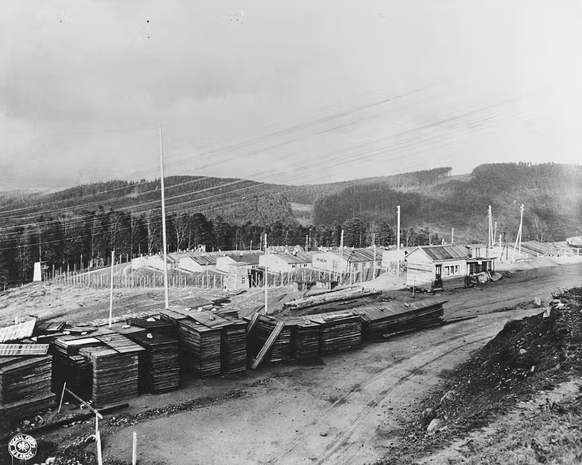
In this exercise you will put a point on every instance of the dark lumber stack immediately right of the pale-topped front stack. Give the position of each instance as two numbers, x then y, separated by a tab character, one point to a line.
158	363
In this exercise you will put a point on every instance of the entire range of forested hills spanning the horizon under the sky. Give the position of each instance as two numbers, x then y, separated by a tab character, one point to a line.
552	194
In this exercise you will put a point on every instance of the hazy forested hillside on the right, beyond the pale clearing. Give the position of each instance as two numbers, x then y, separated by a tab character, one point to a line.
552	195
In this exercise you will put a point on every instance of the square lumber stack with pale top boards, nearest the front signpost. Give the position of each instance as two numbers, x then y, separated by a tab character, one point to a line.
115	366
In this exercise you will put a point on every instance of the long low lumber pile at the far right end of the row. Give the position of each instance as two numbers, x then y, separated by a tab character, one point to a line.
397	317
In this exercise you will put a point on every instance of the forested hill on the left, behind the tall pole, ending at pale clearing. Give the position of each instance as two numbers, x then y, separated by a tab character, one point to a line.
235	200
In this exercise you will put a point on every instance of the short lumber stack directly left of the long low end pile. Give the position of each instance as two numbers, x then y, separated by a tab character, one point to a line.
338	331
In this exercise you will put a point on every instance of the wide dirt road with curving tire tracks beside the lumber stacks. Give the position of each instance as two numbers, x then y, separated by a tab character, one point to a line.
346	411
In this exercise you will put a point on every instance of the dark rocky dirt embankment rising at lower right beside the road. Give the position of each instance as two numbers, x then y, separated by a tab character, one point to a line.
500	386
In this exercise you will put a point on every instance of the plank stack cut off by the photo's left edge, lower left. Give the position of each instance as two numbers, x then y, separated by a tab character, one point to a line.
25	387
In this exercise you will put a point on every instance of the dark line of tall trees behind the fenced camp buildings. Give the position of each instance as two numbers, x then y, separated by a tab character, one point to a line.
86	239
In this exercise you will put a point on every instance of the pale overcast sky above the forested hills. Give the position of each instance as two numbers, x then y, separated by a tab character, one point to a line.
284	91
